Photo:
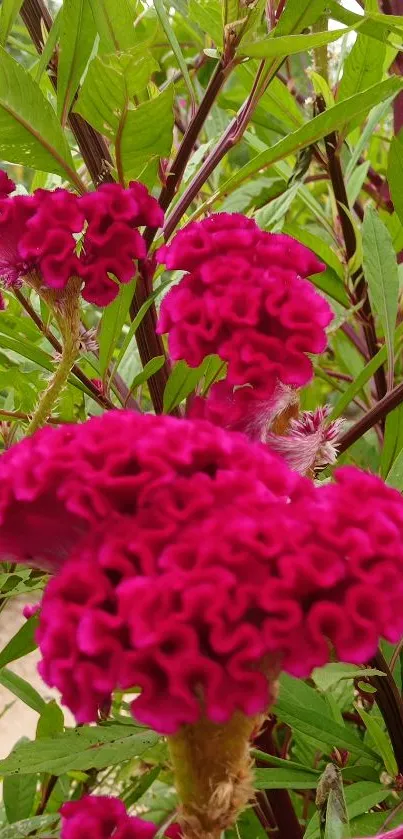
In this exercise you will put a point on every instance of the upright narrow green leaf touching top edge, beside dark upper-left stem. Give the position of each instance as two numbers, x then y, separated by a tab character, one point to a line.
77	36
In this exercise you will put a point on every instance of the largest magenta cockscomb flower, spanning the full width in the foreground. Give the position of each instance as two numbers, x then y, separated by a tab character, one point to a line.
191	561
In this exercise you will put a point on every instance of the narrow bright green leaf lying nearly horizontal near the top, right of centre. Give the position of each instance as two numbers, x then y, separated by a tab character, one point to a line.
282	46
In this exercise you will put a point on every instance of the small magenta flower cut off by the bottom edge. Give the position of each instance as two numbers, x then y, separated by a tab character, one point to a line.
104	817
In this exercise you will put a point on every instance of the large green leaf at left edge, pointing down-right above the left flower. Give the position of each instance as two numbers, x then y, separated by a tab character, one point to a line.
29	131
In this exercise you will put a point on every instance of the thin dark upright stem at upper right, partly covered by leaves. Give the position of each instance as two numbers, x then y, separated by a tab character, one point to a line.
350	244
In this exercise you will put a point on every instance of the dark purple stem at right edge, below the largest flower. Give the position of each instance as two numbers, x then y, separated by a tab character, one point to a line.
390	704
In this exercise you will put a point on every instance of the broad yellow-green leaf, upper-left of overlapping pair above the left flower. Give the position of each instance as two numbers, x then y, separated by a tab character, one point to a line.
112	81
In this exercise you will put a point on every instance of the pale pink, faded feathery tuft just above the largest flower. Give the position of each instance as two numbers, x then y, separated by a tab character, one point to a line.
310	442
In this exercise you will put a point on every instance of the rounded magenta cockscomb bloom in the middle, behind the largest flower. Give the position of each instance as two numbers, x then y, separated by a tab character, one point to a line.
244	298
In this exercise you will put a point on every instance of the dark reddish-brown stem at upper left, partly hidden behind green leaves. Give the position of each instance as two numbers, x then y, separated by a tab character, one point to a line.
92	145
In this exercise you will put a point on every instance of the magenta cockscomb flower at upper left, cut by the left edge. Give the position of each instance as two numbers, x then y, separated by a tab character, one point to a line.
61	235
